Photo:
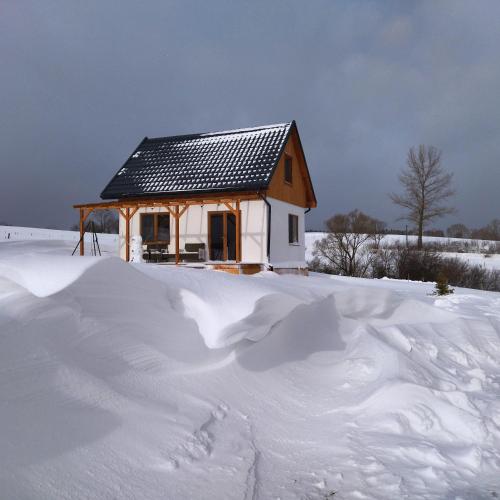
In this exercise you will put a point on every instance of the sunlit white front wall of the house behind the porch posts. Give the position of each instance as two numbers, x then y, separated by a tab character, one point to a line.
194	228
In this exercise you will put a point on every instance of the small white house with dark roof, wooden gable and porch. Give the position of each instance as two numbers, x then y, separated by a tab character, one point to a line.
232	200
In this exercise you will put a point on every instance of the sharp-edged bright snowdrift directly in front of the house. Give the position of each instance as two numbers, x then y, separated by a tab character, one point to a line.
228	309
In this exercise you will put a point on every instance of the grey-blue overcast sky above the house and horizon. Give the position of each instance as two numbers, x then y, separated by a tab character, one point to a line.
82	82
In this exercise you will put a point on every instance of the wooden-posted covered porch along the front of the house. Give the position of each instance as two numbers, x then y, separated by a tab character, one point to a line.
219	246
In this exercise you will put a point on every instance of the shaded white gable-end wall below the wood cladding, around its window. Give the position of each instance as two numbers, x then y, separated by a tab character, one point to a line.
284	254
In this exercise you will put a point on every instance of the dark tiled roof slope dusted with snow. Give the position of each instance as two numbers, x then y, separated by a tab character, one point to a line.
223	161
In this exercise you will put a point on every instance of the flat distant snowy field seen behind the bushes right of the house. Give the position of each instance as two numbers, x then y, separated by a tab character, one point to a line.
489	262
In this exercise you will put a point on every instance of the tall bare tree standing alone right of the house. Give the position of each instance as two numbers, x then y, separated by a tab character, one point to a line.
426	185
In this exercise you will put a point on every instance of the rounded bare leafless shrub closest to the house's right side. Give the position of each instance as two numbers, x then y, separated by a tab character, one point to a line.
348	247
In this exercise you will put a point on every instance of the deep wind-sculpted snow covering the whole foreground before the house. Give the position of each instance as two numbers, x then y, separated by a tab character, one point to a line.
146	382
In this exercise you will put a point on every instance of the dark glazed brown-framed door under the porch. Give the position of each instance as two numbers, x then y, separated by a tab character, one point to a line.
222	235
